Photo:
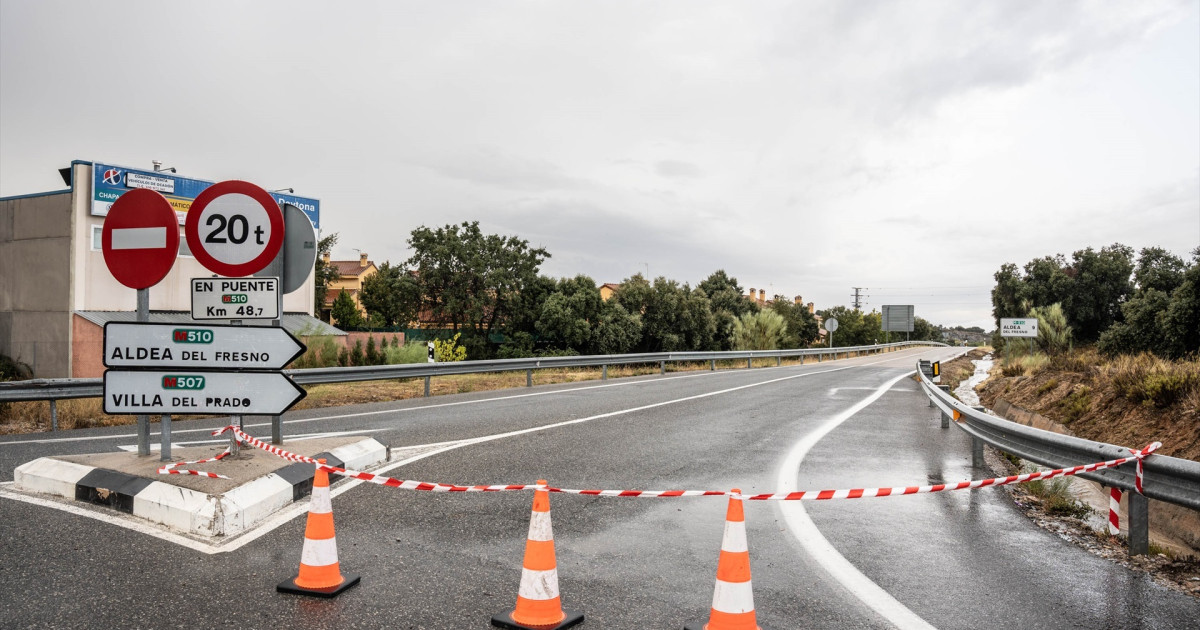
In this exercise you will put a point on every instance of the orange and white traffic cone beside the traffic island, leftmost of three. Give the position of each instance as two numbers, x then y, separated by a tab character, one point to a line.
320	574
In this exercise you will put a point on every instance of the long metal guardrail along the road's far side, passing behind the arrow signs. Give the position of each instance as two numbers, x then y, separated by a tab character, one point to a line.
93	388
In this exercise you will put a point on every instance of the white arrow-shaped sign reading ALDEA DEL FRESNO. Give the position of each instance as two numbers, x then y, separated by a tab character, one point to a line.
199	347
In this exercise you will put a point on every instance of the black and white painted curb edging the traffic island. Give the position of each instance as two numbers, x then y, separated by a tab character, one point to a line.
188	511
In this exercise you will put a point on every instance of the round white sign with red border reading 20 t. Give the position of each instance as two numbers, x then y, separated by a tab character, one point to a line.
235	229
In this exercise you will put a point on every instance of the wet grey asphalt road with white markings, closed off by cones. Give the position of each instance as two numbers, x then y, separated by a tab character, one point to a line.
433	561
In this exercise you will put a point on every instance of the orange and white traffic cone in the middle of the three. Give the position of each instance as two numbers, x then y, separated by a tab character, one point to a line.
538	603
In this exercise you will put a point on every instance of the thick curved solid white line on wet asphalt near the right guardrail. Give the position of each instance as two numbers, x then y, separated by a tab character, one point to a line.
818	547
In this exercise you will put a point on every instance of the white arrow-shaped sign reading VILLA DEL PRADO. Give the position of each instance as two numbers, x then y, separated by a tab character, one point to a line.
177	392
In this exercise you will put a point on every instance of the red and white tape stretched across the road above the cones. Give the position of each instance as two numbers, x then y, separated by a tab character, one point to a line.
824	495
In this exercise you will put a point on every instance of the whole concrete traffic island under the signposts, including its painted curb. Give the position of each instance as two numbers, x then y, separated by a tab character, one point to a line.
260	483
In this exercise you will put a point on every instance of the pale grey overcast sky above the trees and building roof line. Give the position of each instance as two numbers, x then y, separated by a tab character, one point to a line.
806	148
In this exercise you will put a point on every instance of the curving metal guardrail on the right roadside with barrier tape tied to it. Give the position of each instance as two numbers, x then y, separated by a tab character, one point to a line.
1169	479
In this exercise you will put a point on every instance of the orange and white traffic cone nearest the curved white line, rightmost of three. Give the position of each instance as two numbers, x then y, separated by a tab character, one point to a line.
733	599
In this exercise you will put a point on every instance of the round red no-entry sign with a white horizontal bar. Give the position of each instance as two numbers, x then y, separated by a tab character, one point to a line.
141	238
